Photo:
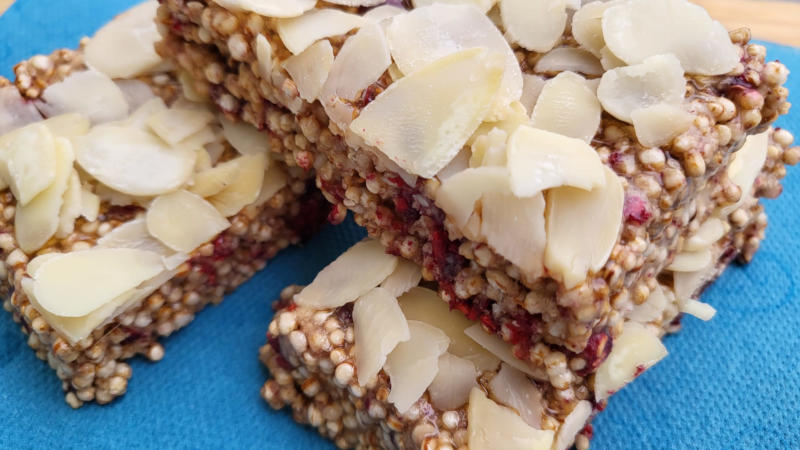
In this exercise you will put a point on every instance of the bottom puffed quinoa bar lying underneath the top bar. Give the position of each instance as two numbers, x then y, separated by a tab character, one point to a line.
396	368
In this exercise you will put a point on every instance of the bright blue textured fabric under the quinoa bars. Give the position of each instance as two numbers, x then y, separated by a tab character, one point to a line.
732	383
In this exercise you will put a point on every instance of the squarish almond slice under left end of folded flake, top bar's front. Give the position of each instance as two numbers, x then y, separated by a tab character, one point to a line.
515	228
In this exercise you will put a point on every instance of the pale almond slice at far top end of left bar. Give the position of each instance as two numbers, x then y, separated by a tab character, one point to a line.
123	48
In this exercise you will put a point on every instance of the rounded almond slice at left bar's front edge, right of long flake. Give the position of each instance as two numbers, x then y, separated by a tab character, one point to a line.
184	221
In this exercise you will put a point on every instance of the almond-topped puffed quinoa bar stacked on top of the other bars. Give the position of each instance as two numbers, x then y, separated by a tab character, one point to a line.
544	181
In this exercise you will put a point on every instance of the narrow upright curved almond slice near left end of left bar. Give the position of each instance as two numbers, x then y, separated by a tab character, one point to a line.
36	222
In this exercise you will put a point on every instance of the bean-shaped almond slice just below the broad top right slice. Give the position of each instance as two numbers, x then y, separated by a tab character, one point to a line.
658	79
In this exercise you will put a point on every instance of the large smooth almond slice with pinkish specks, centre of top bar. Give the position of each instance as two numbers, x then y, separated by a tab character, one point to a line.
424	119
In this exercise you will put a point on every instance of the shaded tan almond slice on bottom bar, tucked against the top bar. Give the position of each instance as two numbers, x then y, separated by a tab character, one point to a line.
425	305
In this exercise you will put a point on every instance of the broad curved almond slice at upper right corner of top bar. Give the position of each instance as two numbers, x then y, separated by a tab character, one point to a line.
637	29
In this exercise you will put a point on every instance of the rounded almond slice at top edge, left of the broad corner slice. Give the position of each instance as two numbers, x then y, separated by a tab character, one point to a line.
536	26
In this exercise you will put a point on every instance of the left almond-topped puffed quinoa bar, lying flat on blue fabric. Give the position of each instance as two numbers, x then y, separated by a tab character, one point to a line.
105	252
